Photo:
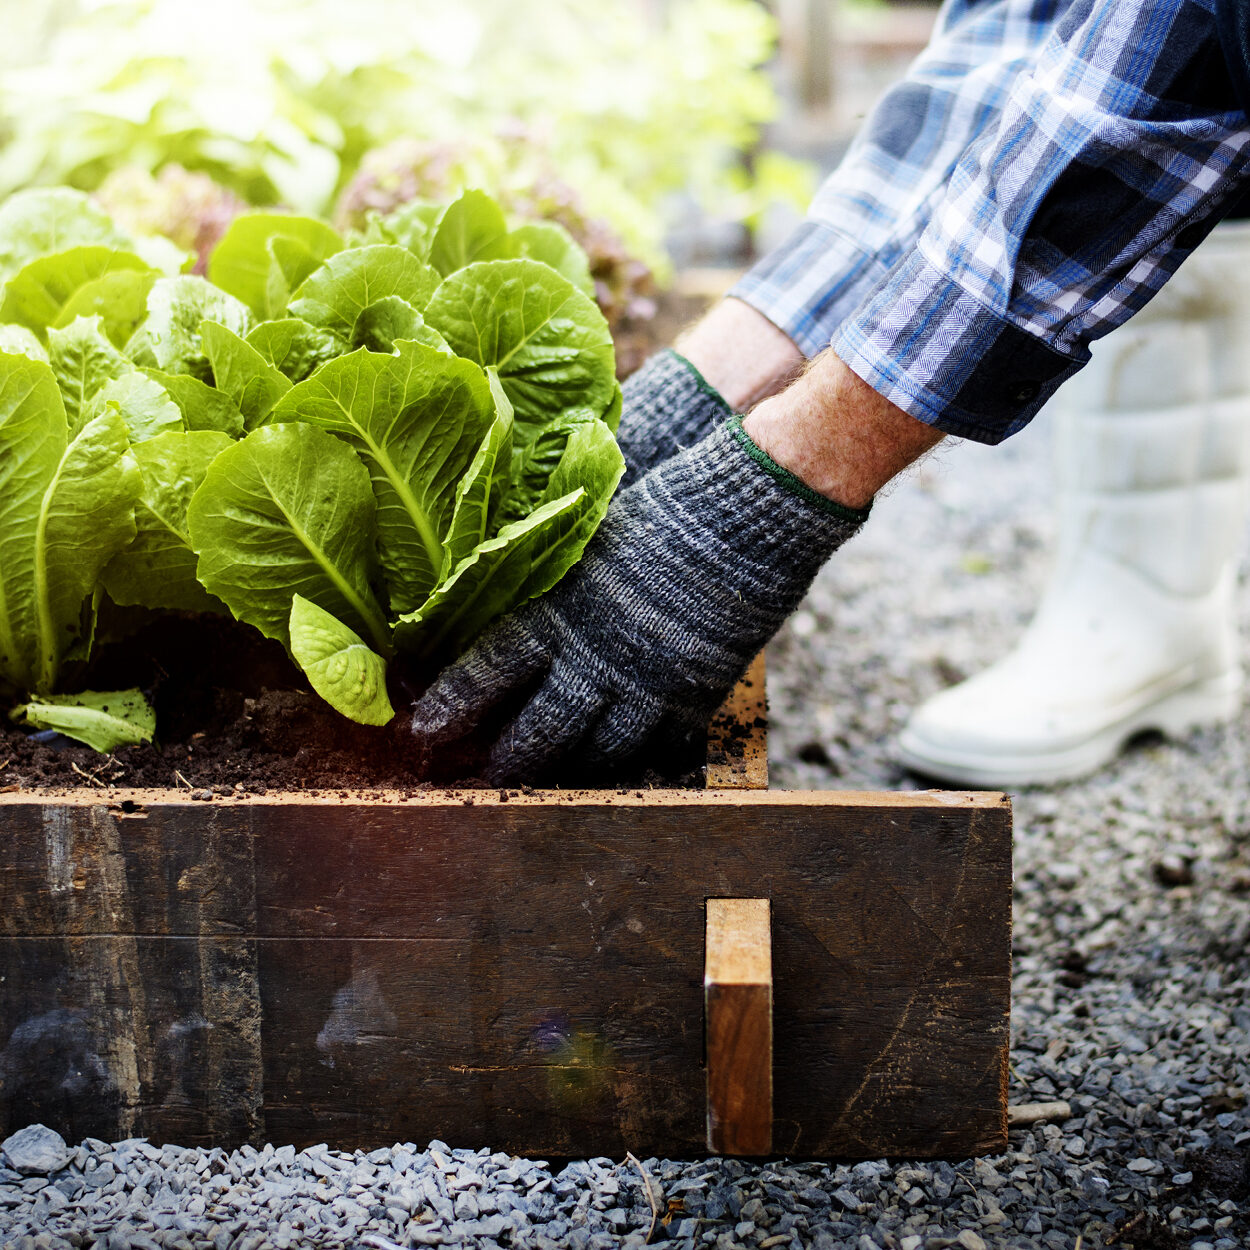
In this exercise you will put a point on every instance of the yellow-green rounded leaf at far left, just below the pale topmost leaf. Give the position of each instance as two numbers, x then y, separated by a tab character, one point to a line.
83	282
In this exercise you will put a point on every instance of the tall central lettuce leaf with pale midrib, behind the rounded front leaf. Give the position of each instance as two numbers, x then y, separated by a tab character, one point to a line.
417	419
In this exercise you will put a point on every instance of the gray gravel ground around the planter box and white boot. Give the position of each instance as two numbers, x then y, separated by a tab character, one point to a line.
1132	986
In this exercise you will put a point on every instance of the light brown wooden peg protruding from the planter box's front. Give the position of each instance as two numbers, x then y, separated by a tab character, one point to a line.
738	1012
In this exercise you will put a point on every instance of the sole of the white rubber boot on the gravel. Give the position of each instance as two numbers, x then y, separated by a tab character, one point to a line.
1214	702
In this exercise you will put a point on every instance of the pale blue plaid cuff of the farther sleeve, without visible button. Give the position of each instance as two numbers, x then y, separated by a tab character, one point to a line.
811	284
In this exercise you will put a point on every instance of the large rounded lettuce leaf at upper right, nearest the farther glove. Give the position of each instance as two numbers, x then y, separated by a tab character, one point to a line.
549	342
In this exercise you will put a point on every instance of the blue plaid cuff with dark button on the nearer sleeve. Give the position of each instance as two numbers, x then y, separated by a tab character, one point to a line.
943	357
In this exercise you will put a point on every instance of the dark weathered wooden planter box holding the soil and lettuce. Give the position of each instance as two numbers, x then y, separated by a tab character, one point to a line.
522	971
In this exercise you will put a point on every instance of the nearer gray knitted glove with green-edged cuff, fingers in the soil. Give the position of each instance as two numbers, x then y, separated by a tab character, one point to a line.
693	571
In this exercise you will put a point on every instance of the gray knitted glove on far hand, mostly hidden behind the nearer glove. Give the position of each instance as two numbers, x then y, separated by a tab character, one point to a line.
668	408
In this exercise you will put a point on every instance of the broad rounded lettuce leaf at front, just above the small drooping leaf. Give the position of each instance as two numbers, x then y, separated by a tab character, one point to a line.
289	512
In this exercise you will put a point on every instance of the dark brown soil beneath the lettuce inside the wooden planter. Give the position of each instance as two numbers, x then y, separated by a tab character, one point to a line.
234	714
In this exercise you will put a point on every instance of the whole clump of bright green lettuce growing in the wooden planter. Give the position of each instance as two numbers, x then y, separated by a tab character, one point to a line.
361	446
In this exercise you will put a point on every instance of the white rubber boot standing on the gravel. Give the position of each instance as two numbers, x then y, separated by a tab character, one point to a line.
1137	629
